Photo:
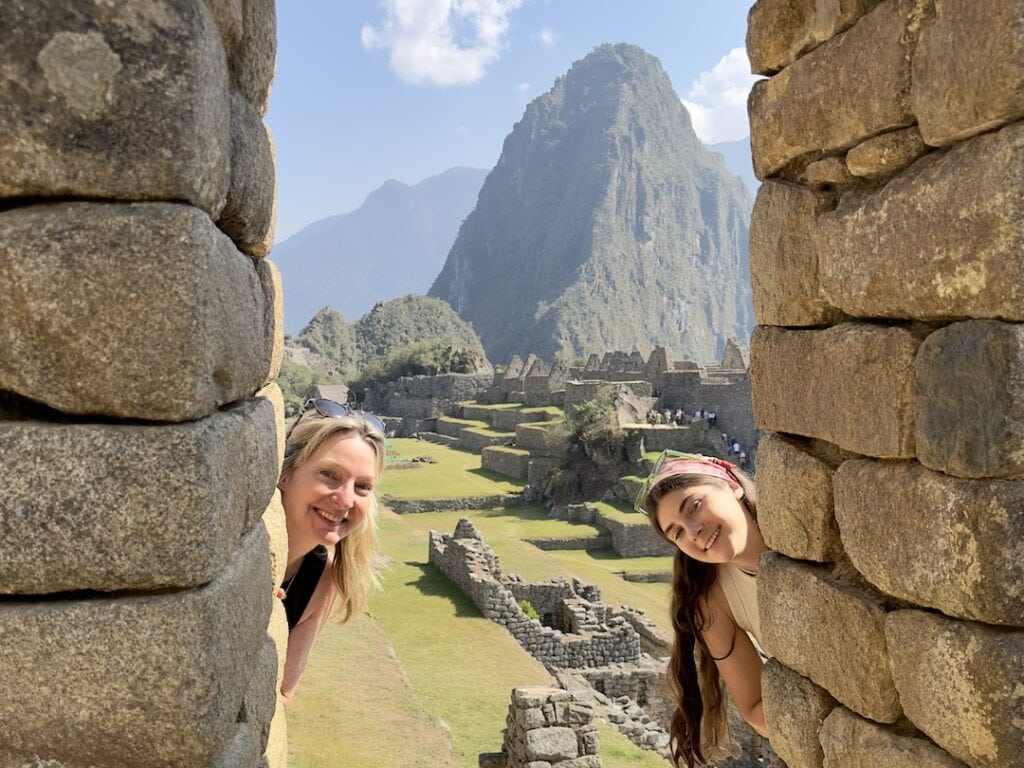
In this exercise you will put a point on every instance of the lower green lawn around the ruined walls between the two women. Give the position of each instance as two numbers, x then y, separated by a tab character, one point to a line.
424	680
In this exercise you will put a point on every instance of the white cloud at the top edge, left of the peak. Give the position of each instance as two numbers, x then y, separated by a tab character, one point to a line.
442	42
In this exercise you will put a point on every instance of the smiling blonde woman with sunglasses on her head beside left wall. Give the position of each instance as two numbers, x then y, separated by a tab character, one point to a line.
334	457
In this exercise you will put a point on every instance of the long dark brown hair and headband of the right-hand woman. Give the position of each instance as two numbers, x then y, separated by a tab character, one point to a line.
699	729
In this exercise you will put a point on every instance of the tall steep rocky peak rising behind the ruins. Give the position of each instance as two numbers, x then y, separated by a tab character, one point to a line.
605	226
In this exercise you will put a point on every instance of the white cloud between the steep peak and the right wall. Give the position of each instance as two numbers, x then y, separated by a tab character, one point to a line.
717	101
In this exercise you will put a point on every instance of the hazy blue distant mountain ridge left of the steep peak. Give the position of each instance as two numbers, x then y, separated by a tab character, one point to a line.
393	245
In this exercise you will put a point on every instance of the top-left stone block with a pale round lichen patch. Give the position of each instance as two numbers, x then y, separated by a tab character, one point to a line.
125	105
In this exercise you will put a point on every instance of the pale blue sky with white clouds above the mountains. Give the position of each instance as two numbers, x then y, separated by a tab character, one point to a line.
368	91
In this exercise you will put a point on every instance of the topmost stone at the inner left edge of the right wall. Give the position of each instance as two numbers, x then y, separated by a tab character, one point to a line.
779	32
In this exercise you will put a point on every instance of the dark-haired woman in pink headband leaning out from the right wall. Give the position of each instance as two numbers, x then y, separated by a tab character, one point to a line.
707	508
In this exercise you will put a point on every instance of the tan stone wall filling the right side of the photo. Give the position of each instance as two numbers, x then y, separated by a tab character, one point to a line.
888	282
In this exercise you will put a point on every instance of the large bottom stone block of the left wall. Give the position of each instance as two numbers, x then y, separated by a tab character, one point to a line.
154	680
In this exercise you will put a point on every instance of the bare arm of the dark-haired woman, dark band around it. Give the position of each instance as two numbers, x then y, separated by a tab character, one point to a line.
741	669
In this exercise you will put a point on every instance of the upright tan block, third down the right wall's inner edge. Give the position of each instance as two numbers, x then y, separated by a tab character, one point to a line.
785	259
